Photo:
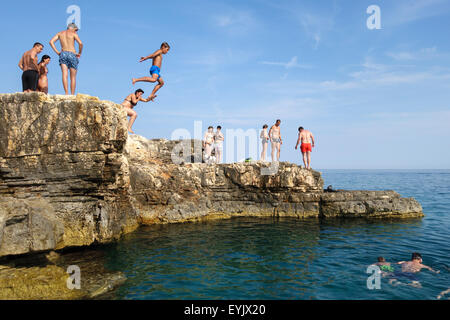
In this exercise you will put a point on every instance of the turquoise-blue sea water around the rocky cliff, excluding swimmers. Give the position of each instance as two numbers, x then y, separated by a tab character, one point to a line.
257	258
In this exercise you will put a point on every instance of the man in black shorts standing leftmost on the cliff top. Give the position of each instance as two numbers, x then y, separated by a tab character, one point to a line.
29	65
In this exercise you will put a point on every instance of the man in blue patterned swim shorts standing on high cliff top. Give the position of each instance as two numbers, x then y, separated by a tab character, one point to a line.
68	58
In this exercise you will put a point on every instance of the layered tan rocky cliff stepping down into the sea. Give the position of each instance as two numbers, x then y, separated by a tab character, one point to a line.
71	176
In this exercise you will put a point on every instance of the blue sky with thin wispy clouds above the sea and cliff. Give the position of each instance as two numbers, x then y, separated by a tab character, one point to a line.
373	98
